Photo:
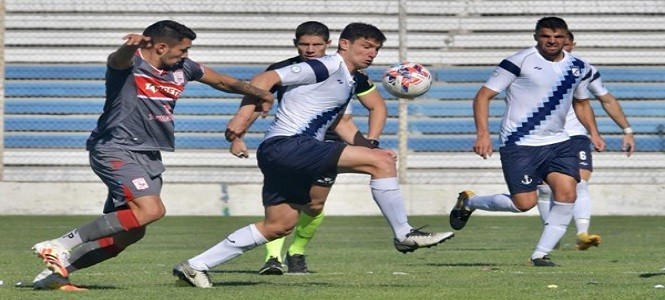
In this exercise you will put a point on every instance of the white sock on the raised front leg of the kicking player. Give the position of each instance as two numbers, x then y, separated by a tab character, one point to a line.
387	196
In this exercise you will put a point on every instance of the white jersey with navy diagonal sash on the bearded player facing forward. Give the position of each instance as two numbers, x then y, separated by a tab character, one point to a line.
539	94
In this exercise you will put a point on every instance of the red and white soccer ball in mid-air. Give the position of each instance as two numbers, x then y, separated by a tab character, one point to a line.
407	80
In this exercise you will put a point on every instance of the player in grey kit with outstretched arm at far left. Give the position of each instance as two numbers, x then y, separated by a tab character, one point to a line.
144	78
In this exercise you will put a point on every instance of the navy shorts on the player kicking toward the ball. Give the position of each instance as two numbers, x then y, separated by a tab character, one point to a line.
292	164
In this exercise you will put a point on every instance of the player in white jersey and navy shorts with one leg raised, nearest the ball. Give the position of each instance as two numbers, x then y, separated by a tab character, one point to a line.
294	154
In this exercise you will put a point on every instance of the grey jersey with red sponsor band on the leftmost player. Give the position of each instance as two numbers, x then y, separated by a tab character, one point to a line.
138	112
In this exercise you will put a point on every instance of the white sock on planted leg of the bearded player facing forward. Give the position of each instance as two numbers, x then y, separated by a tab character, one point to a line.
560	215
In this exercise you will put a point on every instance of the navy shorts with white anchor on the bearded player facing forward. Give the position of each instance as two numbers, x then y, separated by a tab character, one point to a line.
525	167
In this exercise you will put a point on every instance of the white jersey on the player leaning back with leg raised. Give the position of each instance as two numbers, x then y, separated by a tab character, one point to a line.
318	91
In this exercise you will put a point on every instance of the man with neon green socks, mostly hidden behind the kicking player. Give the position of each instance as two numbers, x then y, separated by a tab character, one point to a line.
311	41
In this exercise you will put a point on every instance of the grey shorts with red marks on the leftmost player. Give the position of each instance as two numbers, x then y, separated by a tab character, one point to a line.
127	174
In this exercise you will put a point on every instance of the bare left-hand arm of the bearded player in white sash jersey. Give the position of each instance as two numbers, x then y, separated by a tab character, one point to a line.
481	103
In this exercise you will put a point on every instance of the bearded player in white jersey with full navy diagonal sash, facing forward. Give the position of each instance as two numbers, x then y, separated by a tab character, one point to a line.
541	85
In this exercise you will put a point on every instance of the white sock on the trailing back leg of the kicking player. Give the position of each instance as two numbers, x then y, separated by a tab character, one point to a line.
233	245
